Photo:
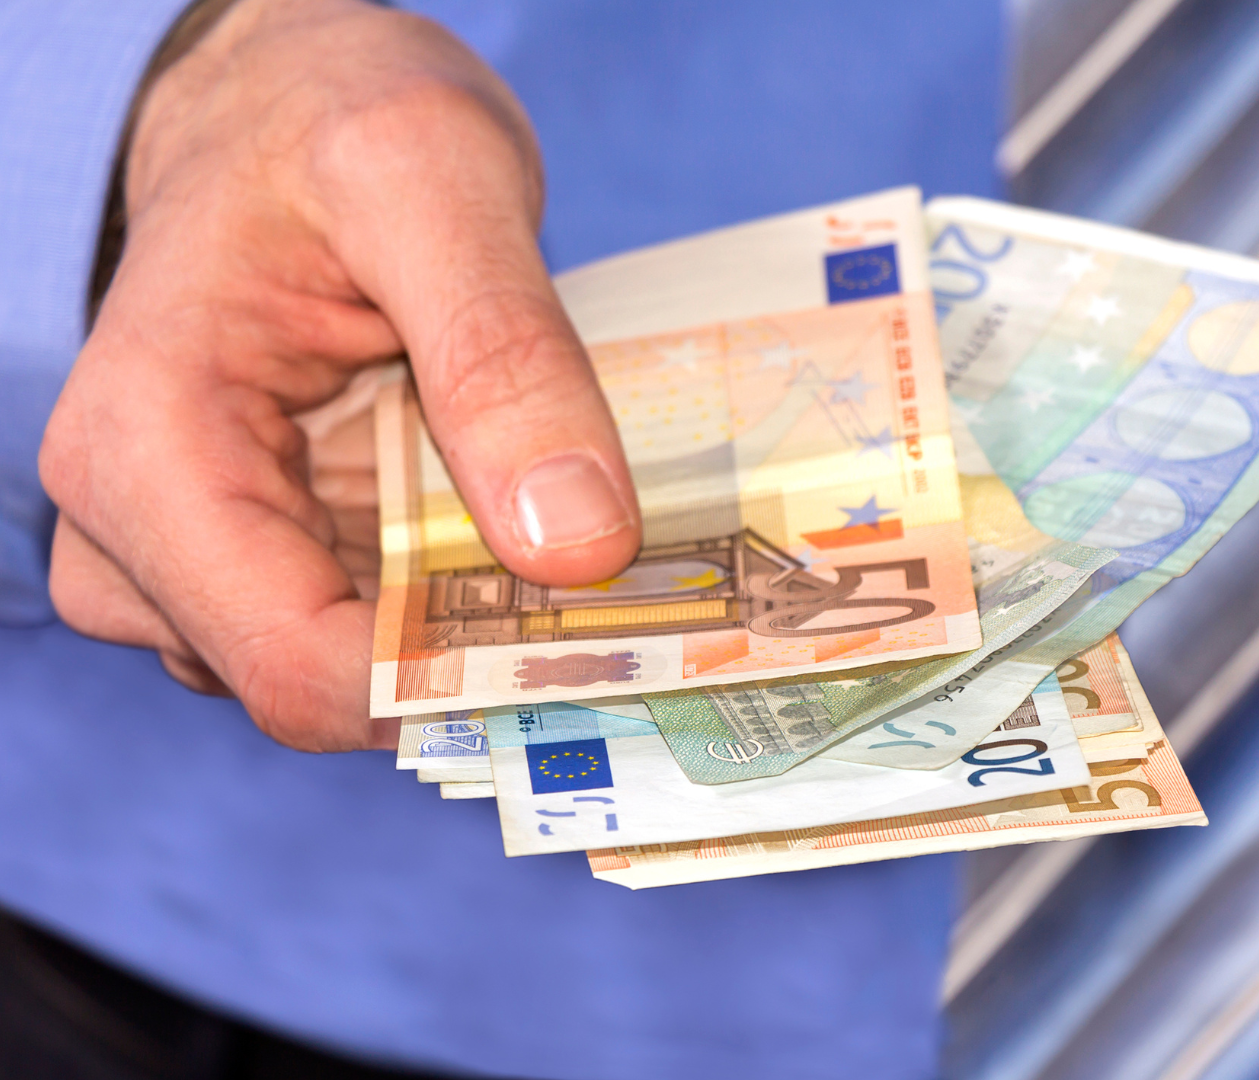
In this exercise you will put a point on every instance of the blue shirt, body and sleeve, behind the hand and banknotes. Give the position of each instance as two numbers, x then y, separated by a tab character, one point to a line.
334	898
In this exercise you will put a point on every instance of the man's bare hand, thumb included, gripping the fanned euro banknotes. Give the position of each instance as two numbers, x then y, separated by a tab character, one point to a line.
319	186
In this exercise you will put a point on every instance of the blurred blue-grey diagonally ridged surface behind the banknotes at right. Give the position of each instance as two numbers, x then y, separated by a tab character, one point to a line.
1136	957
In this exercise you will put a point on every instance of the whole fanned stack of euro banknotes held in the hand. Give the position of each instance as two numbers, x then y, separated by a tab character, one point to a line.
903	474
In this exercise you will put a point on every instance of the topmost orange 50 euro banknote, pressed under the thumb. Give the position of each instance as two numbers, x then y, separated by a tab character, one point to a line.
780	396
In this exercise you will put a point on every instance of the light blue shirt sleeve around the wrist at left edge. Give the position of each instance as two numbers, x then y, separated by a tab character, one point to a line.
69	70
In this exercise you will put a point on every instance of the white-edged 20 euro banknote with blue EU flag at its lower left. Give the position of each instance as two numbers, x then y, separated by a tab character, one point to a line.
571	779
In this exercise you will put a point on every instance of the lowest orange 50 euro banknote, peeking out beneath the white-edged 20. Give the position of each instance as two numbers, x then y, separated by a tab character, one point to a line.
1132	785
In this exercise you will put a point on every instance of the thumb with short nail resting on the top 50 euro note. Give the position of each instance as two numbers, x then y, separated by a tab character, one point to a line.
508	391
